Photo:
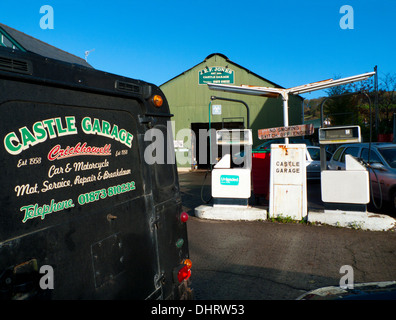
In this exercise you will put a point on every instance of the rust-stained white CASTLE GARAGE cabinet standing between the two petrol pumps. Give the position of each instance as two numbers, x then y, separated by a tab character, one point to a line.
288	183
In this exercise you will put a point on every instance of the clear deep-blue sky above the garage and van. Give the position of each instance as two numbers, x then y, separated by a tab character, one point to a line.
287	42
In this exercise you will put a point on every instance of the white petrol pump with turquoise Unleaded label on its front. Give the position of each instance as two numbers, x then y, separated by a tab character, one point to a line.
231	185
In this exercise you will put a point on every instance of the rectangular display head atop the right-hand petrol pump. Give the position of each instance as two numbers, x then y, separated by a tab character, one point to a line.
346	134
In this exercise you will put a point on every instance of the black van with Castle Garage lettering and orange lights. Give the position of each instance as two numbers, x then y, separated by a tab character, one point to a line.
83	214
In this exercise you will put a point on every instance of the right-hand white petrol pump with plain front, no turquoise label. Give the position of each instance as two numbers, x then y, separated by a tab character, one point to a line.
349	187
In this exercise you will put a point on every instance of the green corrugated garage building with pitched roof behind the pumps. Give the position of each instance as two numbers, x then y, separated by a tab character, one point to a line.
189	98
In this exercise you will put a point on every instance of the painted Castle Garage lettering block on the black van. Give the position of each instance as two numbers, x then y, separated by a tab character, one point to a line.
81	167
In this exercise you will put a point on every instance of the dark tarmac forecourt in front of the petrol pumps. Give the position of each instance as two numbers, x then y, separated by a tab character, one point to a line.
264	260
